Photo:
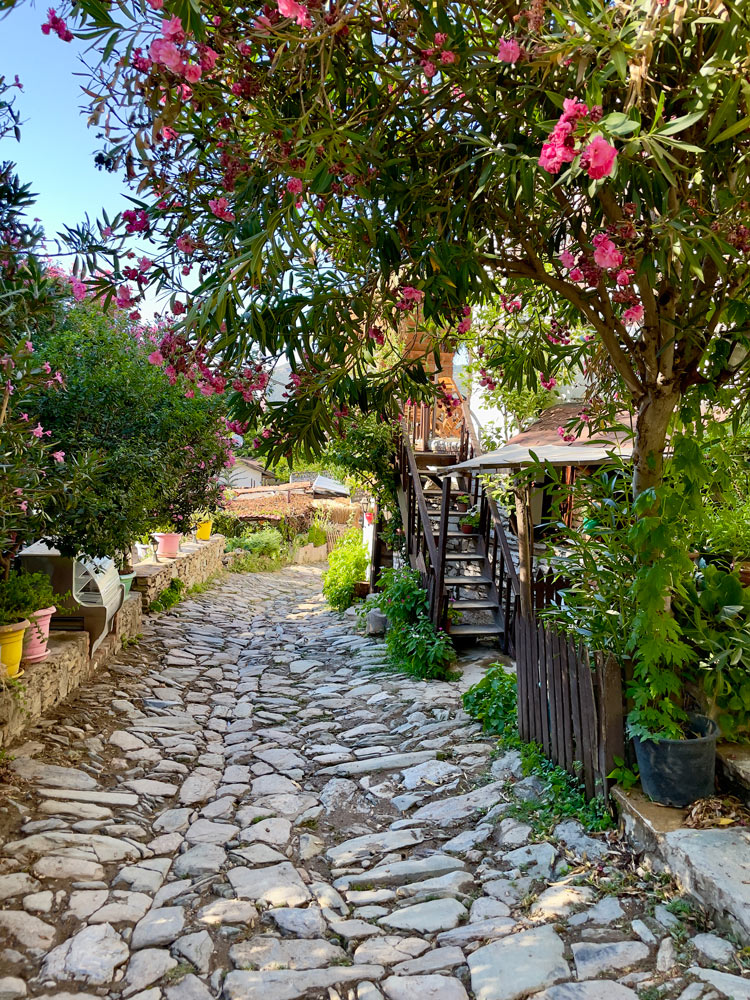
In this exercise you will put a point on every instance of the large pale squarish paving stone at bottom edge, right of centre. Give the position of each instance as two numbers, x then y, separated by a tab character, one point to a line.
519	964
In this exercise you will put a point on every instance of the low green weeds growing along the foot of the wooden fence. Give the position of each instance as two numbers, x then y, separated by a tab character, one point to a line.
494	702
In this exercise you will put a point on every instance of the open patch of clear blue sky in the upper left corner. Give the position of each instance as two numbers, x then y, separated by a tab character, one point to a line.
55	154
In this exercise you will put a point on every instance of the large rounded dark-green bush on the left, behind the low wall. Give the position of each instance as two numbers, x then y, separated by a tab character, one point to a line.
159	453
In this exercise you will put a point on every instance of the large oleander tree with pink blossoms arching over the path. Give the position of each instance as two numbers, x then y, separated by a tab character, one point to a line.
312	176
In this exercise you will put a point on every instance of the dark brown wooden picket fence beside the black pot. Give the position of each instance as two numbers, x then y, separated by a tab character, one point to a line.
572	707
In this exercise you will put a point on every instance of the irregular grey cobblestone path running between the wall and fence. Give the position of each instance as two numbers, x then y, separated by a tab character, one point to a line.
246	807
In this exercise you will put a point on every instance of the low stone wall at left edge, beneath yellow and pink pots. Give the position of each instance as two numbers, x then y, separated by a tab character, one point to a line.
44	685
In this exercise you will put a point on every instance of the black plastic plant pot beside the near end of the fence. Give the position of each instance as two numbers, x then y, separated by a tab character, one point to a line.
677	772
